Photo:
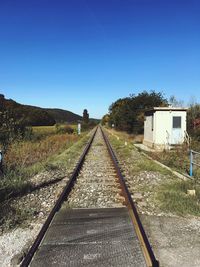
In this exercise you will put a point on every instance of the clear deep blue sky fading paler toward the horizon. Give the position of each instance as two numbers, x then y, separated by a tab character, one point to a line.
77	54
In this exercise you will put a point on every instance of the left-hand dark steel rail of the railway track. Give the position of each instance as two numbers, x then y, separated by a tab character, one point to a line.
58	204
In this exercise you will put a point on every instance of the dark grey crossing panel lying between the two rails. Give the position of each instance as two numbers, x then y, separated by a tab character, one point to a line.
90	237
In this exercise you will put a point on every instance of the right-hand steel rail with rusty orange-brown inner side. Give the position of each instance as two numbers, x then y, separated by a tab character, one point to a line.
145	245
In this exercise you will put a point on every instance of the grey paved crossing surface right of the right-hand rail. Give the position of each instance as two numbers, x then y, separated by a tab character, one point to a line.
175	240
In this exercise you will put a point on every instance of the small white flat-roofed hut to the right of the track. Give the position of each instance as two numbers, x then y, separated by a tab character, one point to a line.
164	127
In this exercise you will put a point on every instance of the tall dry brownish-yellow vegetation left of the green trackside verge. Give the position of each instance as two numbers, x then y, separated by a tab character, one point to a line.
25	158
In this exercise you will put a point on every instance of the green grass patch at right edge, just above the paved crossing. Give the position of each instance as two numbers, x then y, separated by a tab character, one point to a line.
173	197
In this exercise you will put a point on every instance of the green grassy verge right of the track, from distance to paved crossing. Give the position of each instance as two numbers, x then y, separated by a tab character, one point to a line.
168	194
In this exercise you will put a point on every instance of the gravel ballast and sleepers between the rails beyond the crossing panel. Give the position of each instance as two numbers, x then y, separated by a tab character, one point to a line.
97	185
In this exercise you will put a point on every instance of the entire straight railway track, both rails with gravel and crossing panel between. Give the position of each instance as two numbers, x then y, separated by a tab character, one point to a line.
94	222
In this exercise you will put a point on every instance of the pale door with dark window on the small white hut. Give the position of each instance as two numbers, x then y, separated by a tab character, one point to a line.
176	130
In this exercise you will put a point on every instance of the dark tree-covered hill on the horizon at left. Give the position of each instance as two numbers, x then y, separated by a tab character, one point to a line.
36	116
